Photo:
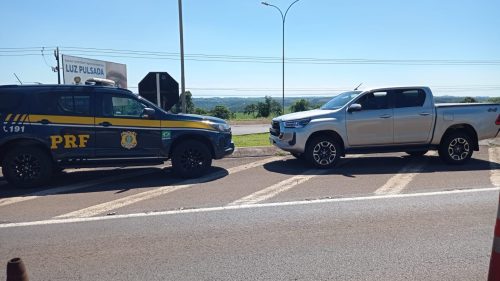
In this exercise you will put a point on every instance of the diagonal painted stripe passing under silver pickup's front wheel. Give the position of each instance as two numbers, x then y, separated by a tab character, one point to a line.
275	189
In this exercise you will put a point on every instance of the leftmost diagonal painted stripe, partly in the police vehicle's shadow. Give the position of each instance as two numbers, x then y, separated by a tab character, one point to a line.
68	188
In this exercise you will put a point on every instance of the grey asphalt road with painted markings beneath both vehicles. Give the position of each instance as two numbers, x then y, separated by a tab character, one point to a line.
387	217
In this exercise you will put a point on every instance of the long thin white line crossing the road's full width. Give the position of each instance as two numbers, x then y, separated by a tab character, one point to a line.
250	206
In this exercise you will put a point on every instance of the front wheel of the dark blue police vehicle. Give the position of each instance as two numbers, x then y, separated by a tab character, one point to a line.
191	159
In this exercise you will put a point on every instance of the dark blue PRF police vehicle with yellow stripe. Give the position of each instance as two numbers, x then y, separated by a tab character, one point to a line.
47	128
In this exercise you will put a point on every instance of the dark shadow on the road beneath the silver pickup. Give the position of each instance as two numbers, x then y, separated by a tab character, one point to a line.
373	165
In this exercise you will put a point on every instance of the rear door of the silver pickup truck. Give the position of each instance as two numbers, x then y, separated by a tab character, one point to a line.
413	116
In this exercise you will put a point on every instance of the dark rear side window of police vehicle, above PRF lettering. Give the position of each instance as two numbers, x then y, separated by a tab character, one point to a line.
63	104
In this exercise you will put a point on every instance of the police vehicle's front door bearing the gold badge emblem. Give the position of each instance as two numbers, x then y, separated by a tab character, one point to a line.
122	132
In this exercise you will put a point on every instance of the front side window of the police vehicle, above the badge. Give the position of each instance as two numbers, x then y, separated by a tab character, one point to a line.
117	106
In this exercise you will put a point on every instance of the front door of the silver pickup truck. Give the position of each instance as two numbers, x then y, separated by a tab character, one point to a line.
374	123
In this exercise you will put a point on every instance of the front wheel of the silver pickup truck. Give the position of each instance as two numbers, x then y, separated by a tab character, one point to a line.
323	152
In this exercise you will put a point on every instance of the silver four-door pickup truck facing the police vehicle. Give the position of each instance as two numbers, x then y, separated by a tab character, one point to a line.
401	119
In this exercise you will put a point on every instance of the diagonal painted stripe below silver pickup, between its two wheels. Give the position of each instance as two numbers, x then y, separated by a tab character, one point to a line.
397	183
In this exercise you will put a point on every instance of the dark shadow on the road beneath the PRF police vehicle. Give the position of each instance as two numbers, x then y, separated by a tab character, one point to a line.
104	180
